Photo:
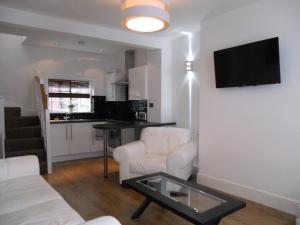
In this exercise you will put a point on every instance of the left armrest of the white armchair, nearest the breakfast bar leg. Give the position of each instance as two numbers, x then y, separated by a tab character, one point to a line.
125	154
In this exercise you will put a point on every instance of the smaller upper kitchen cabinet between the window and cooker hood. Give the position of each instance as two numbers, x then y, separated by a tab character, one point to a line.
115	90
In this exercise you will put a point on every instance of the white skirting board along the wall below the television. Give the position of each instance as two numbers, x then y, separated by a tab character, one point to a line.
260	196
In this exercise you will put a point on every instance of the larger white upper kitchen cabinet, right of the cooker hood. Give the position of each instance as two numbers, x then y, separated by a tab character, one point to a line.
138	83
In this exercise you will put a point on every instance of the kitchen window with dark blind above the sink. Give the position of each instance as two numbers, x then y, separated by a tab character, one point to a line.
69	96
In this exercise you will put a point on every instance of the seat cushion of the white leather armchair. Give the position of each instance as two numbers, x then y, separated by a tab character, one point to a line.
148	164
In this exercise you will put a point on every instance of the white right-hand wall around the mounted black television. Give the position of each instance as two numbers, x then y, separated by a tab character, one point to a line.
250	137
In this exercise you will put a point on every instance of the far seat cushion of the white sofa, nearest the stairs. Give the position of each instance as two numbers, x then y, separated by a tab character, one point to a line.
20	193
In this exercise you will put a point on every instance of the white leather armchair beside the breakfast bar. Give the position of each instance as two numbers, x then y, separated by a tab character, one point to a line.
160	149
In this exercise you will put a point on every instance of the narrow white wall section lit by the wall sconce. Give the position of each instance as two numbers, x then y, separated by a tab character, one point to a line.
185	86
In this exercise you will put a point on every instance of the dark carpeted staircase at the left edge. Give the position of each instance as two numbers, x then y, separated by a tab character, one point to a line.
23	136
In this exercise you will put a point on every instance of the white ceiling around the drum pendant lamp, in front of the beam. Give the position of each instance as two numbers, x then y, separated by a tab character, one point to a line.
186	15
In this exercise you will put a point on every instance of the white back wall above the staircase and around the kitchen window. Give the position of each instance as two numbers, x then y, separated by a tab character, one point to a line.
19	63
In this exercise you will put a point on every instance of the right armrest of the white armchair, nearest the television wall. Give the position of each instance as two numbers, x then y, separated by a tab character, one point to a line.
182	156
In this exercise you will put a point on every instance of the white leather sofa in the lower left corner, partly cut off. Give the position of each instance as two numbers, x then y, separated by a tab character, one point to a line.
26	198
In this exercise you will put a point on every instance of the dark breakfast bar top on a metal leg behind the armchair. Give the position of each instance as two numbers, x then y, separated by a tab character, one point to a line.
117	125
